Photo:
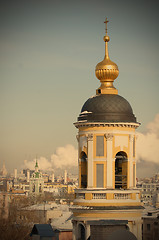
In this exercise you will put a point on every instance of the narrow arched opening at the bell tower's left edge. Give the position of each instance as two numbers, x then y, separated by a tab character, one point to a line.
83	169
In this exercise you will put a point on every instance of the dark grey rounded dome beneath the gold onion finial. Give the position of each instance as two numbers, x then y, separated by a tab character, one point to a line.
107	108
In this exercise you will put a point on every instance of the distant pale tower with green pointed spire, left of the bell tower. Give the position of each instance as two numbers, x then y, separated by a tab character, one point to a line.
36	184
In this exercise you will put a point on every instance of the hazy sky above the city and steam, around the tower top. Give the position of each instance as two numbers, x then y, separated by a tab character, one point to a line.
48	53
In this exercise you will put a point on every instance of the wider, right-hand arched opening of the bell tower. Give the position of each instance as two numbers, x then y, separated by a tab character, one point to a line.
121	165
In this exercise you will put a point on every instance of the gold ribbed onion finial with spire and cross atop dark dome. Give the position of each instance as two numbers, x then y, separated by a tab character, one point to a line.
106	71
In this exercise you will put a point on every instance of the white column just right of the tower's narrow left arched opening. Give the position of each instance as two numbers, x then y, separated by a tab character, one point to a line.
90	161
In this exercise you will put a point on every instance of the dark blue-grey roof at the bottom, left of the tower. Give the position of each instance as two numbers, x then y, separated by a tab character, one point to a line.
43	230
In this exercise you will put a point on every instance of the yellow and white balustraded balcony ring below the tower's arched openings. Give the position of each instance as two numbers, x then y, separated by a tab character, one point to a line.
105	197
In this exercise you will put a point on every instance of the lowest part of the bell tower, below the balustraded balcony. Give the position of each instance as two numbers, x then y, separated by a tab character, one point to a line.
104	222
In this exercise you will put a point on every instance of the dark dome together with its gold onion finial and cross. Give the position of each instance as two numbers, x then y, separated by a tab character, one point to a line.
106	106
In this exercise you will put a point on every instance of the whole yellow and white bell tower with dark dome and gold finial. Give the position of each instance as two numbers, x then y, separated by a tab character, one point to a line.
107	199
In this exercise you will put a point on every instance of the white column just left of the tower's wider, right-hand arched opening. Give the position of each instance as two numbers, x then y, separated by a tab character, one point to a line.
109	138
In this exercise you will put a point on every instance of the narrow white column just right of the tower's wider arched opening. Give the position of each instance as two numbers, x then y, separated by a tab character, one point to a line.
131	138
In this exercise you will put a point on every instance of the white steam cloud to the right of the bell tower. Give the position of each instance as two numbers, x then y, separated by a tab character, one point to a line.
148	144
